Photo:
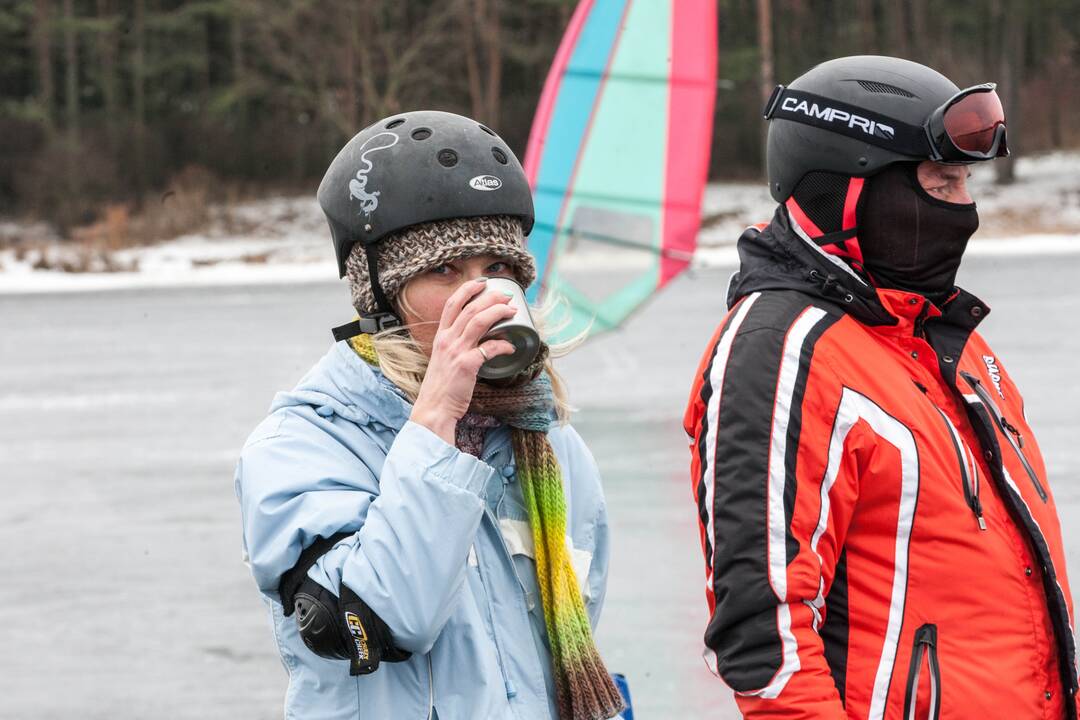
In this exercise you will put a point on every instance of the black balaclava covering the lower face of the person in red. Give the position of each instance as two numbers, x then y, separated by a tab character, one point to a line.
911	240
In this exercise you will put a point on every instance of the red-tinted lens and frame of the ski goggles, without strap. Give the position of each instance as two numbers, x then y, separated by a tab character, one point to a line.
970	126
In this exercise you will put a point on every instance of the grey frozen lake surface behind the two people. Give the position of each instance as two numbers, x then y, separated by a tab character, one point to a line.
123	414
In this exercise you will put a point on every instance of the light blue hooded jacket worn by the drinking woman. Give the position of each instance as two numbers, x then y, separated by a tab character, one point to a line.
441	552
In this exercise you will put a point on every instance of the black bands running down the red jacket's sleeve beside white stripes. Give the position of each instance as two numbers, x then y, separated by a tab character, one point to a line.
744	631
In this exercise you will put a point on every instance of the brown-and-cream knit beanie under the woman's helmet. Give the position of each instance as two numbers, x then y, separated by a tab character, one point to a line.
418	249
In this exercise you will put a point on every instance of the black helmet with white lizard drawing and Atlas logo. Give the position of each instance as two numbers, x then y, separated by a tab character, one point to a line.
417	168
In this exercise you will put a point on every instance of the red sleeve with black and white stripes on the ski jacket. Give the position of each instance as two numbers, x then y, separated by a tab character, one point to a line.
775	494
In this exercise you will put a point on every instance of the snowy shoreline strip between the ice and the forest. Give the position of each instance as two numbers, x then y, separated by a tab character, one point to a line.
286	239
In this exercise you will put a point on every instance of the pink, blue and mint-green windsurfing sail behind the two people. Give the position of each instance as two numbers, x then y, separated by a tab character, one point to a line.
618	155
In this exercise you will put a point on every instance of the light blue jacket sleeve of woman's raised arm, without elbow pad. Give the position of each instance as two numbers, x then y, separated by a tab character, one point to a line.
414	510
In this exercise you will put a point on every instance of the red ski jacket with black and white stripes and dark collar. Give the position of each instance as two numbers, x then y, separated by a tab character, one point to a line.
880	536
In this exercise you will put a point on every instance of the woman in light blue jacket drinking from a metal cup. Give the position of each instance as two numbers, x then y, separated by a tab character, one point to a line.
429	547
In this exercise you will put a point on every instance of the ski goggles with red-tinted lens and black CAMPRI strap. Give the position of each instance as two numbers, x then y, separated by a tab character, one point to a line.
968	128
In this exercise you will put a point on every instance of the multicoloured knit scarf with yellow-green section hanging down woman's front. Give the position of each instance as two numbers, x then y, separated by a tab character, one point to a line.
584	689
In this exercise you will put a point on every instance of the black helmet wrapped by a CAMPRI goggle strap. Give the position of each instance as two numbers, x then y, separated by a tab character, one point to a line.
855	116
